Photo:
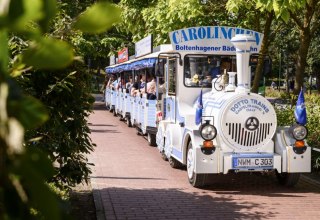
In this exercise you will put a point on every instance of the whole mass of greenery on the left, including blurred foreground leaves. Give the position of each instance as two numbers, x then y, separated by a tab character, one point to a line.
34	134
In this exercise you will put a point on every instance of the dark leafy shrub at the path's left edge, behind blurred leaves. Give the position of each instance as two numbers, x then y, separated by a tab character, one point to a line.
65	136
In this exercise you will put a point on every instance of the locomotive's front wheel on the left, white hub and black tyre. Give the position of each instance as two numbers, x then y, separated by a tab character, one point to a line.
196	180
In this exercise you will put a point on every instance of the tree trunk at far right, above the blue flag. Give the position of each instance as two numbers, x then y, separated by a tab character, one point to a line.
305	39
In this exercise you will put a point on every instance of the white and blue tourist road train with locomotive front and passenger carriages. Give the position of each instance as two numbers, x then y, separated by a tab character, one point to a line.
213	126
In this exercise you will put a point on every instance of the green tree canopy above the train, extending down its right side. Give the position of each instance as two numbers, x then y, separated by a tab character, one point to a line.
272	17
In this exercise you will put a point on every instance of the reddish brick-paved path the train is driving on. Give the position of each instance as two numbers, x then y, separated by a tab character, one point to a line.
131	181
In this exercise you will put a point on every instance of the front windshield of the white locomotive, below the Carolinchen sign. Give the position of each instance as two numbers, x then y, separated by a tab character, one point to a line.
200	70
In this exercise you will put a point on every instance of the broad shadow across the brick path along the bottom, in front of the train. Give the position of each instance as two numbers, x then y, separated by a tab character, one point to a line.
178	204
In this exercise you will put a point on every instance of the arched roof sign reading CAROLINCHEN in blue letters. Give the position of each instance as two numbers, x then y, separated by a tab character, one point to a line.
211	39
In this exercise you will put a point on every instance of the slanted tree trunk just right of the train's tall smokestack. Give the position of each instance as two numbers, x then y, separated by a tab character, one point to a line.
263	51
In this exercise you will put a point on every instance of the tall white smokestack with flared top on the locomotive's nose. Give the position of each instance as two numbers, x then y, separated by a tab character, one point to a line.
243	42
